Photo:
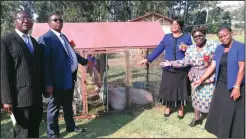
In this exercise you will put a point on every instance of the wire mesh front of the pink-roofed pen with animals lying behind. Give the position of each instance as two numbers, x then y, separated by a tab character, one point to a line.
124	84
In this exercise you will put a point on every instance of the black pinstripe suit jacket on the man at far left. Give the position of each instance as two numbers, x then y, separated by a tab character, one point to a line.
21	72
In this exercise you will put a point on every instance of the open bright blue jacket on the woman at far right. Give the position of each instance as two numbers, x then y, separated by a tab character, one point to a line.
236	54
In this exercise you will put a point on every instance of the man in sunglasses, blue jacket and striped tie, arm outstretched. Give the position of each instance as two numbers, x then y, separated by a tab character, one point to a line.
60	64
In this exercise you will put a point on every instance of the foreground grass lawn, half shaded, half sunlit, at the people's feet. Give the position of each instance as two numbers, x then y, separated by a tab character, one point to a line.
139	124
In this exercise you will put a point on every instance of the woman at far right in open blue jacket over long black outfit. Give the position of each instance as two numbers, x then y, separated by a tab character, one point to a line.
226	114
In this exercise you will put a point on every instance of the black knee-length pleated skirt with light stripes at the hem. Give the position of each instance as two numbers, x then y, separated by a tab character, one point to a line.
174	88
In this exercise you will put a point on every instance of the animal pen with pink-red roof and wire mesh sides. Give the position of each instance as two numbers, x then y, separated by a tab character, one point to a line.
117	46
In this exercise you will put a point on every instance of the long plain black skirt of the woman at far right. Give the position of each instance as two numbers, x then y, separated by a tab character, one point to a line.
226	117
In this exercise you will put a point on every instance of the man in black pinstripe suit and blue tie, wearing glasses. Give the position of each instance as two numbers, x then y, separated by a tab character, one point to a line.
21	77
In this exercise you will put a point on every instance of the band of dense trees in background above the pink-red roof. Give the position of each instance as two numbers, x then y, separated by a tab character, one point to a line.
114	11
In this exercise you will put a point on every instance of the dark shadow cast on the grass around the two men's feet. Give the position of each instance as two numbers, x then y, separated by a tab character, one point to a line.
104	125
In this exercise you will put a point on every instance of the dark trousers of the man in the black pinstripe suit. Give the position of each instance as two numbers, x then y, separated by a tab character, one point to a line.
28	121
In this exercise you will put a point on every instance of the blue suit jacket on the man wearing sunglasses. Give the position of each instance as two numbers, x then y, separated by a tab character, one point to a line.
56	62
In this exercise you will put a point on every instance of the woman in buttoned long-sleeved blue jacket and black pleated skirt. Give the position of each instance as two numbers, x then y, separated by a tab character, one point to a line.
174	85
